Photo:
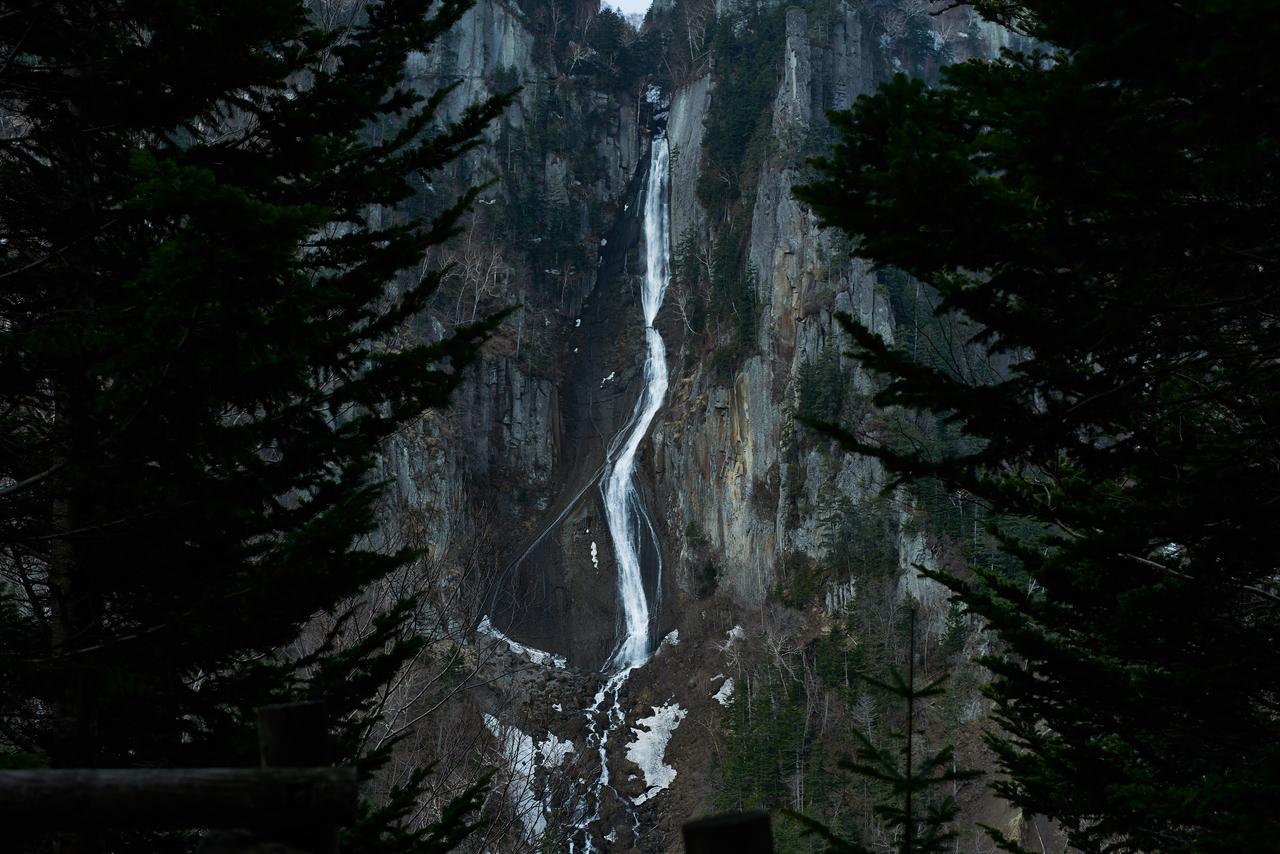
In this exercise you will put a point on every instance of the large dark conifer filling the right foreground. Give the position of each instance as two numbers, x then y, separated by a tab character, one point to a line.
1107	218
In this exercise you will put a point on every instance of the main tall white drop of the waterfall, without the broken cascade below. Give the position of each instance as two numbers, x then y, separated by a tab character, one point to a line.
623	506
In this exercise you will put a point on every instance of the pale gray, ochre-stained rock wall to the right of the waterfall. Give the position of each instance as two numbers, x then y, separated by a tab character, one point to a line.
729	450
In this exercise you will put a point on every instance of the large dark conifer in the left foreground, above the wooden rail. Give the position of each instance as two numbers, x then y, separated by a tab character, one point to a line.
195	368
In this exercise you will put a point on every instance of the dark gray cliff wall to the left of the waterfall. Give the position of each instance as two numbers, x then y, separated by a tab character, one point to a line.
561	165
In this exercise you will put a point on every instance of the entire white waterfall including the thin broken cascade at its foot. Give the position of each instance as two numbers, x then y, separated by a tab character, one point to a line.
623	508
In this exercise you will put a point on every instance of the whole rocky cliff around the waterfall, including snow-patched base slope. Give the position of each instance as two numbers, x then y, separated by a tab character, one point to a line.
749	509
